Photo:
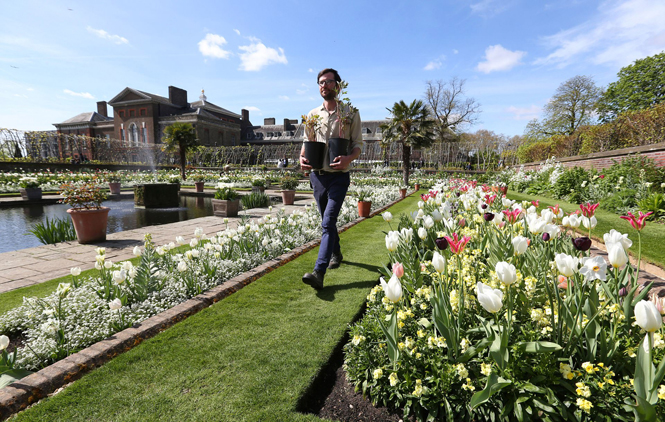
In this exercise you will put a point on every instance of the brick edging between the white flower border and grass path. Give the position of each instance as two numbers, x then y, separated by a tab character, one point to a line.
29	390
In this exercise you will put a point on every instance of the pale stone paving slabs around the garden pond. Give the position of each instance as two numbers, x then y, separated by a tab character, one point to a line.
30	266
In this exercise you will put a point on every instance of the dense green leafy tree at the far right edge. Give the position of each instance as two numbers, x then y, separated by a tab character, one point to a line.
640	85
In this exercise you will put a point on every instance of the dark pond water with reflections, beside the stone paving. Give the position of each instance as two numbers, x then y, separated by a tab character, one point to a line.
15	222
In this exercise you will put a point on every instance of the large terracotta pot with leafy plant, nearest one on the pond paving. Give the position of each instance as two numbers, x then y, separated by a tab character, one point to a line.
90	219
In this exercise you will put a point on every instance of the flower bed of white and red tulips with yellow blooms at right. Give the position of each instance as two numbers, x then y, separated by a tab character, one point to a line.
493	312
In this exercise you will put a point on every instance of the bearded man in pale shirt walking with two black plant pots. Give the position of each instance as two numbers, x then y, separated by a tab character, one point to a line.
332	182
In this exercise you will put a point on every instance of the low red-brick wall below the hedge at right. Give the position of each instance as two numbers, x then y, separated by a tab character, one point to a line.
603	160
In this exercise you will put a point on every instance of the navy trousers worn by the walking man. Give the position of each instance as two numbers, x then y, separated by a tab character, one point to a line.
329	192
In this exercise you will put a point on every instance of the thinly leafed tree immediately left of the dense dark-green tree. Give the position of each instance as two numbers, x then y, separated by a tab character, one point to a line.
572	106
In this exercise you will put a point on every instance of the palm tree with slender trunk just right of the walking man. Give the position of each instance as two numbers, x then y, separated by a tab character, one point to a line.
412	126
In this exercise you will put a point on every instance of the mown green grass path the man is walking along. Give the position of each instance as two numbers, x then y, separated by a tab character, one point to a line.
247	358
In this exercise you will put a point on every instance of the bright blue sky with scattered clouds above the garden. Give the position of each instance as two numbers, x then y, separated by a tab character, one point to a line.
58	58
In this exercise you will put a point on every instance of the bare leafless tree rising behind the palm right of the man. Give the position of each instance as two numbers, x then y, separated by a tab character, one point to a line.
447	103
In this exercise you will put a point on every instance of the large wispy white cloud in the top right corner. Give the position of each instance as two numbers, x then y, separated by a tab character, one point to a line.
620	33
